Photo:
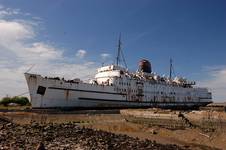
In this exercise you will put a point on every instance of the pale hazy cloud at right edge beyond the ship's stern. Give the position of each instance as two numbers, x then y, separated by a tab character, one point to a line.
216	81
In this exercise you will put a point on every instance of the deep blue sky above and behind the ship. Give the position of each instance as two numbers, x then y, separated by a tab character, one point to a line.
191	32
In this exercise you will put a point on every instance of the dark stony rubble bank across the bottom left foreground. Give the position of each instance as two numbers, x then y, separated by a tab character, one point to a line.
70	136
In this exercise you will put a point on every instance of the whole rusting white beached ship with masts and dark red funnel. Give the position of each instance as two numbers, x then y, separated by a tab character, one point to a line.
114	86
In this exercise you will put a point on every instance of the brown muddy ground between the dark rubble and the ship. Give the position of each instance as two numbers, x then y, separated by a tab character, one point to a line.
115	123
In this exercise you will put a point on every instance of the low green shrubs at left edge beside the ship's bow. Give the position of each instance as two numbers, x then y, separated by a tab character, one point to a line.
18	100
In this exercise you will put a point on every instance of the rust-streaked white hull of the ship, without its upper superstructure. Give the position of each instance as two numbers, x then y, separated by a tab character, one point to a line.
58	93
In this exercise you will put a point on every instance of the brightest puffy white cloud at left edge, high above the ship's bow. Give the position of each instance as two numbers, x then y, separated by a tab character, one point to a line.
14	39
